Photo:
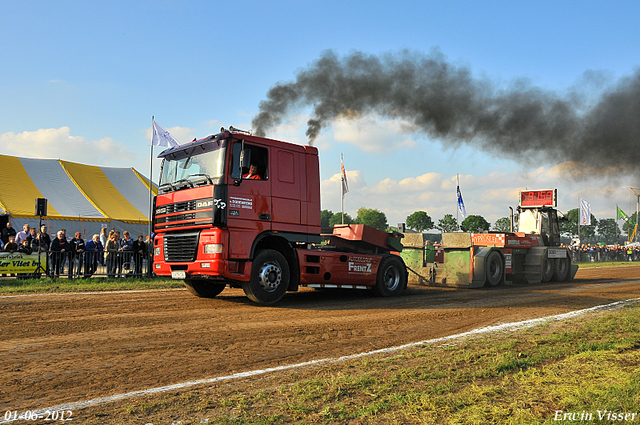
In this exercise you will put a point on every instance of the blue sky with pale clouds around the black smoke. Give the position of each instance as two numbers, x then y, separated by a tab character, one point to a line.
81	80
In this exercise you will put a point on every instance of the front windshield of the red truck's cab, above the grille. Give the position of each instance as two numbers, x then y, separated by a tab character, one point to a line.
196	165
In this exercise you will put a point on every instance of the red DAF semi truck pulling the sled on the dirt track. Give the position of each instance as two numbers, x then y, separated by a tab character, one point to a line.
240	210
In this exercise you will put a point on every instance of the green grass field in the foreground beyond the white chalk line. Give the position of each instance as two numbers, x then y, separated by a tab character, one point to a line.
524	377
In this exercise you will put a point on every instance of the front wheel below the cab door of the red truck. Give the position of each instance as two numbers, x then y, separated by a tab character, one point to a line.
269	278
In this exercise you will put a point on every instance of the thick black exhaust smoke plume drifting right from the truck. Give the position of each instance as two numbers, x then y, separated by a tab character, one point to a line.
446	102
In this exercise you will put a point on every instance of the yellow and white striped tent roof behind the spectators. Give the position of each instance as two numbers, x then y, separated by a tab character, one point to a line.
80	197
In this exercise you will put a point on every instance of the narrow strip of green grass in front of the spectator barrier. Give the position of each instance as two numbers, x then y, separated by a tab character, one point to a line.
10	286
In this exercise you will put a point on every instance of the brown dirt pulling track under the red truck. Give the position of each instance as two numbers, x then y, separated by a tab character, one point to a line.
72	347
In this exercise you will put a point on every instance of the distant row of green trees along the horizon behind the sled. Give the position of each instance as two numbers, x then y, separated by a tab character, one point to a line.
606	229
